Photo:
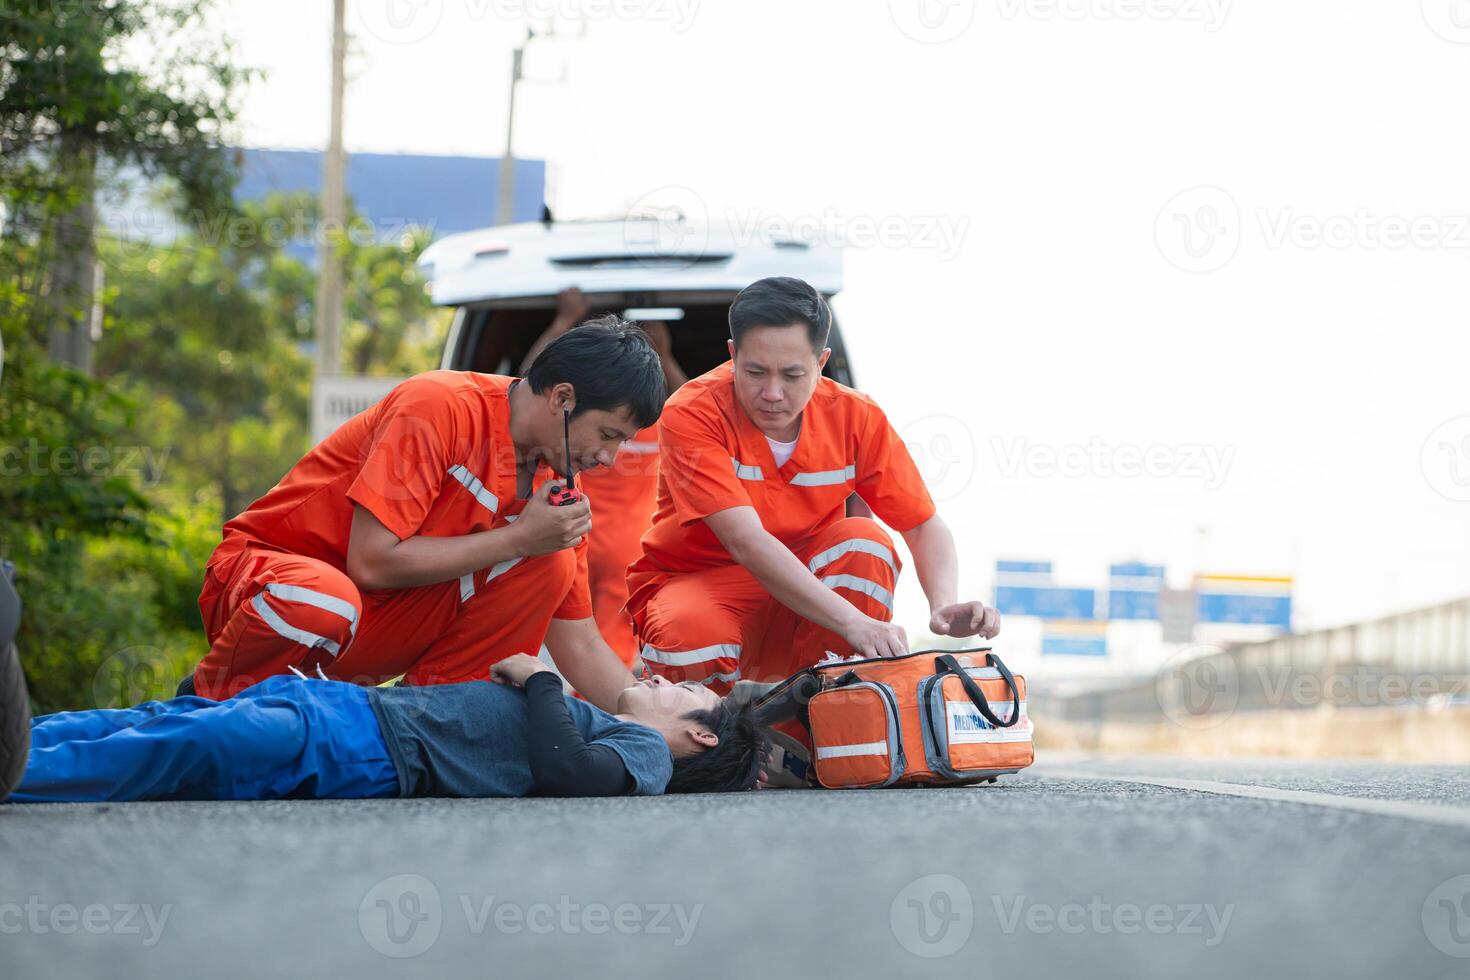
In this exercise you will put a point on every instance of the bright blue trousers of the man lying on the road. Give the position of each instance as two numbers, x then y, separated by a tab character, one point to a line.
283	738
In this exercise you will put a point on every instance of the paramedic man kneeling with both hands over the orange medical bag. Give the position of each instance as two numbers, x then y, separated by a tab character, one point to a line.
752	569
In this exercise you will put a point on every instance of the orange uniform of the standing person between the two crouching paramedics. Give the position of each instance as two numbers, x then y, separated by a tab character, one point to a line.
623	497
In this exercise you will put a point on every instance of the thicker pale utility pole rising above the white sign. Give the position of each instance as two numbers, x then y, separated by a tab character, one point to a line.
330	309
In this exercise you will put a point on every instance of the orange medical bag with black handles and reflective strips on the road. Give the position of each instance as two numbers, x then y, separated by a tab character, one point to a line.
927	719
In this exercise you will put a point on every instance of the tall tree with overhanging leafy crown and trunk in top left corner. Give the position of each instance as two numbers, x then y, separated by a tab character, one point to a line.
90	87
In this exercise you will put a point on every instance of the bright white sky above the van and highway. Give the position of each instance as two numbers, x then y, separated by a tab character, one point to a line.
1050	137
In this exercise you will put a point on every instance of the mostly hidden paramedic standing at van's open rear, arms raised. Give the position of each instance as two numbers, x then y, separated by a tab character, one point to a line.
623	496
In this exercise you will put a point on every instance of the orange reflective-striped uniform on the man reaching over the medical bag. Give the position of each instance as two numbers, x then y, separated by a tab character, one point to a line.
700	616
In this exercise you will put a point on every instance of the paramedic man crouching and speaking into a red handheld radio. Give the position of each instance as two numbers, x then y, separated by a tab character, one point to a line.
420	540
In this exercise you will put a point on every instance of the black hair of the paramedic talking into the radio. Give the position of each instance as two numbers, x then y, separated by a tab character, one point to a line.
609	364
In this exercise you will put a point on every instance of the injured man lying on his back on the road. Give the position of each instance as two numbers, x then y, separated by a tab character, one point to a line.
306	738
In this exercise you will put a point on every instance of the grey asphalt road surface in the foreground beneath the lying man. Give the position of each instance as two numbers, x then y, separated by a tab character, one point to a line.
1065	872
